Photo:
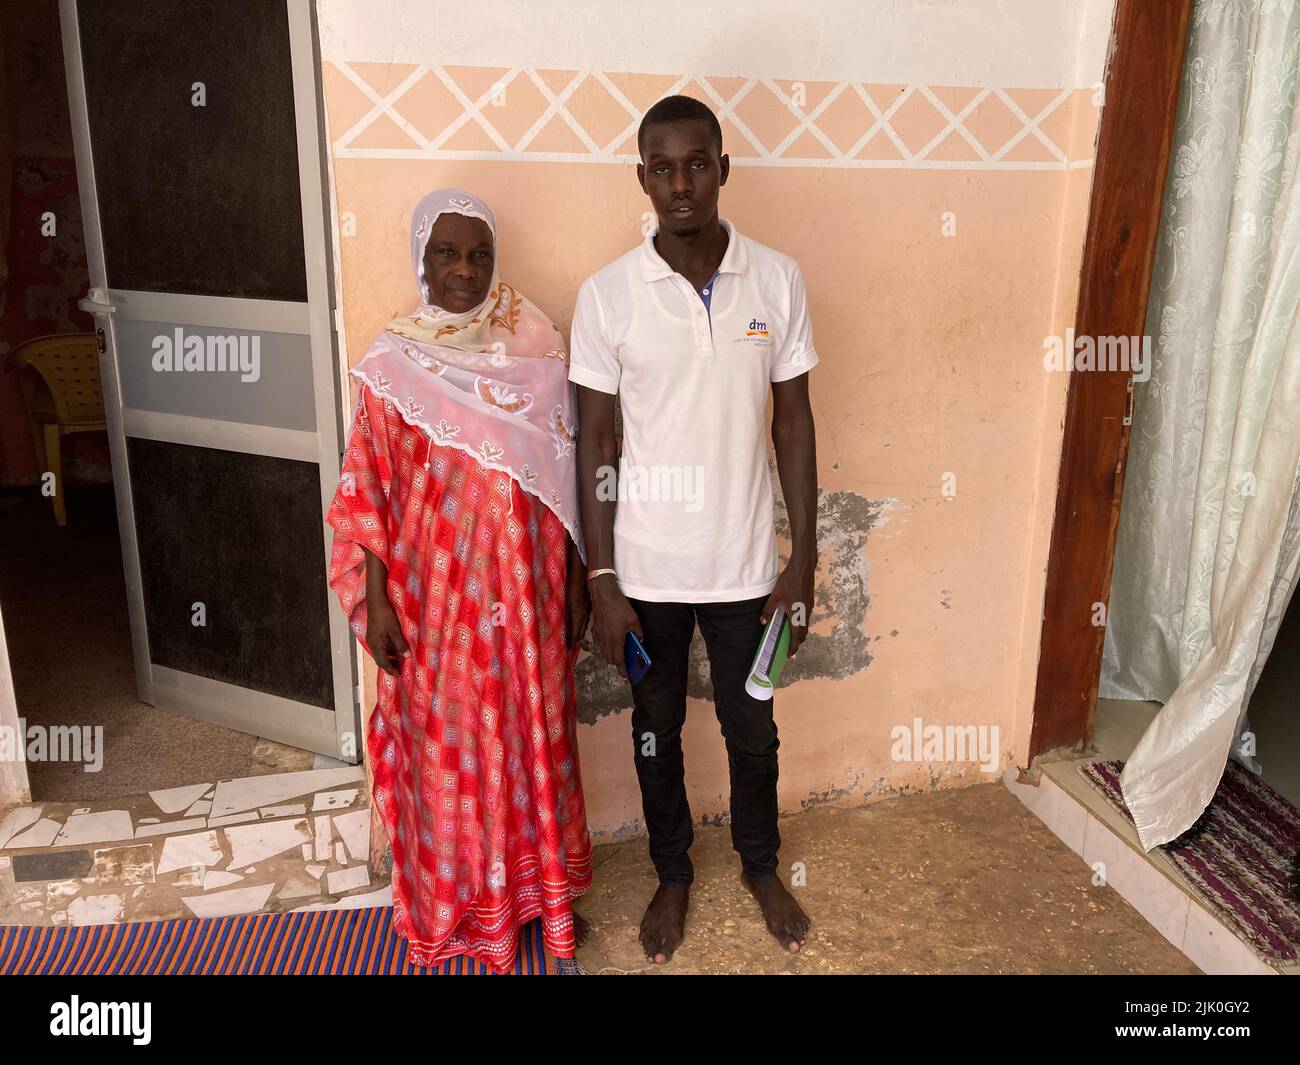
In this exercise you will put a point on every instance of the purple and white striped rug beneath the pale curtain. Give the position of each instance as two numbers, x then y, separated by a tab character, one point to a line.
1238	859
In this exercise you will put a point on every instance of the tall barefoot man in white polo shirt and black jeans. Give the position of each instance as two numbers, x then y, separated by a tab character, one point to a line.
690	331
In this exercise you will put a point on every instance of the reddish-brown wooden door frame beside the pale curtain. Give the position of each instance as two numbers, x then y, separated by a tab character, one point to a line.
1141	105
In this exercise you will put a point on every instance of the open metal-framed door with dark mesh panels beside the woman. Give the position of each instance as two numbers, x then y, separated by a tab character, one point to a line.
200	163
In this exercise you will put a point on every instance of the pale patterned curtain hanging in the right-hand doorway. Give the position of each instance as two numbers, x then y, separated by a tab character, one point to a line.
1210	531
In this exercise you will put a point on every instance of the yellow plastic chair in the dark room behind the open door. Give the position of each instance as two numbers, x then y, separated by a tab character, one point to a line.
63	393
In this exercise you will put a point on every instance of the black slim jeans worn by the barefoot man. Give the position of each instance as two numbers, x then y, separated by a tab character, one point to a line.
733	633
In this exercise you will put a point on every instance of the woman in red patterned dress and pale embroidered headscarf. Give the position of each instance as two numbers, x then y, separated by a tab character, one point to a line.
458	561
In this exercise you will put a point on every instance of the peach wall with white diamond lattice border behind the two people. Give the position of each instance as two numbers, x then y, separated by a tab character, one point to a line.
931	345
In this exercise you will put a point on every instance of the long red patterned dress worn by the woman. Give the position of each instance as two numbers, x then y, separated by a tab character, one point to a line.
474	750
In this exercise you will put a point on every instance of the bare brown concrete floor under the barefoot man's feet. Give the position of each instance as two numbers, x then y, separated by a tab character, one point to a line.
952	882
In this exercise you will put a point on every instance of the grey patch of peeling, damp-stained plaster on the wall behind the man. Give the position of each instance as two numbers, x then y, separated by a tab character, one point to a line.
837	646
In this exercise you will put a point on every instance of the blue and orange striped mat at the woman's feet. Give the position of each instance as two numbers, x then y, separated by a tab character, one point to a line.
353	942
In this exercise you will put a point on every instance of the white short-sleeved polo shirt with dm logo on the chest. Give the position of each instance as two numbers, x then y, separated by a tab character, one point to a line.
695	497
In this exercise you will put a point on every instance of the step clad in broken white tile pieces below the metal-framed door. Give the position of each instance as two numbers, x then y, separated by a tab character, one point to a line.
253	845
